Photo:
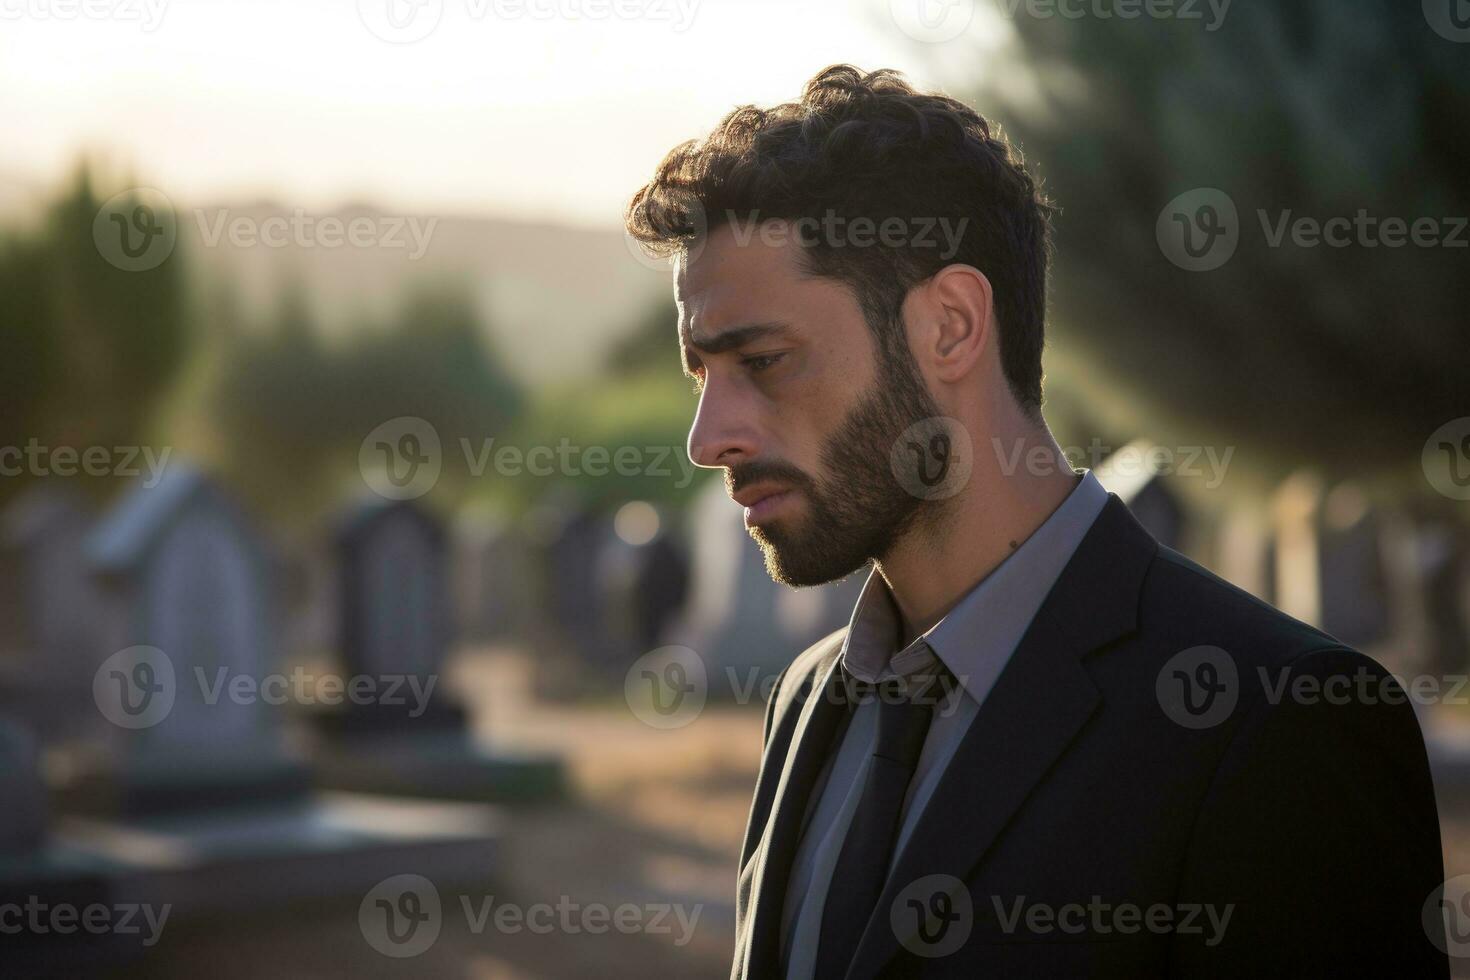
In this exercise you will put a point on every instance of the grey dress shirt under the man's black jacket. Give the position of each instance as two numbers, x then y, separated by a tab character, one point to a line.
975	640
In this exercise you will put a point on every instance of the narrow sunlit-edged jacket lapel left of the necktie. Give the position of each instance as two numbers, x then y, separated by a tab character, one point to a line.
809	741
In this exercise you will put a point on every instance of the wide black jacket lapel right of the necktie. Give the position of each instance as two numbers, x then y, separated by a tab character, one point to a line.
1037	707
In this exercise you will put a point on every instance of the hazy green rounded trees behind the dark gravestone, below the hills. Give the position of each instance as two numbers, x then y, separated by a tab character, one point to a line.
295	409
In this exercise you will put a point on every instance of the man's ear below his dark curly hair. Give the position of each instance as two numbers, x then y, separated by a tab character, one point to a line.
955	321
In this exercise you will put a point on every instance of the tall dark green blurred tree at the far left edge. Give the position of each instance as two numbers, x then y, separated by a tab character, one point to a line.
89	349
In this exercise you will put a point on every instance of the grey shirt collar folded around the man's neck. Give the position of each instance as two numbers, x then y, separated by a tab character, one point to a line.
977	637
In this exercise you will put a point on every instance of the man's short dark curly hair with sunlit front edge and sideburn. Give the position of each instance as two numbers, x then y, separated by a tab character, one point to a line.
868	145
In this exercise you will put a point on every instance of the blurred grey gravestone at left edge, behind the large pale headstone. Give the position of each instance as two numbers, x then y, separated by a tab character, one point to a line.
51	613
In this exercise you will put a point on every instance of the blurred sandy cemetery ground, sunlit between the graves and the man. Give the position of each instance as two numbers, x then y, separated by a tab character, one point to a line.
655	819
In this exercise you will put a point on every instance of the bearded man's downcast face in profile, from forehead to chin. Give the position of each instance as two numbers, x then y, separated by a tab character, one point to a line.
796	406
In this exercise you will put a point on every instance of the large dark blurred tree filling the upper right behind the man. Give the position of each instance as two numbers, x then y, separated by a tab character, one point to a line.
1346	358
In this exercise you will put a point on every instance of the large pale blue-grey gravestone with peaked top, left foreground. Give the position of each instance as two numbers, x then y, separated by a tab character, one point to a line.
189	580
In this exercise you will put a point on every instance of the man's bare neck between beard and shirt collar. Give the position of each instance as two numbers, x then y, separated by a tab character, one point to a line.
952	550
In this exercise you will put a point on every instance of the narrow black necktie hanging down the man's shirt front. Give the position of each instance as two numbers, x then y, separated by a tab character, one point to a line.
862	866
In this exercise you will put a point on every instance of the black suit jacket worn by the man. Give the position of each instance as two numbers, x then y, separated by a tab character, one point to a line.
1102	777
